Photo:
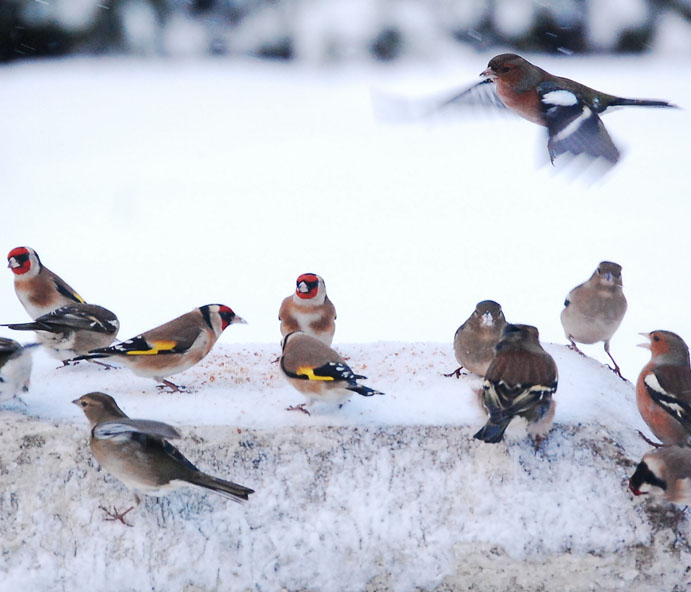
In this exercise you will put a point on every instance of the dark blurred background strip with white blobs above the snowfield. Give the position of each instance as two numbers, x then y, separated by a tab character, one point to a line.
338	30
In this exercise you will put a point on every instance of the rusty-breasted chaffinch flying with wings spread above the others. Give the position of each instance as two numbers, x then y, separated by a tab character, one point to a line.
568	109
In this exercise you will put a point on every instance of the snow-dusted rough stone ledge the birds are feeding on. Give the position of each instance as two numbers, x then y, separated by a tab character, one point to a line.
388	493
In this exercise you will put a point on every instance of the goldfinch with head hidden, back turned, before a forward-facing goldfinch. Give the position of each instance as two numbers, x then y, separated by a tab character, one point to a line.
318	372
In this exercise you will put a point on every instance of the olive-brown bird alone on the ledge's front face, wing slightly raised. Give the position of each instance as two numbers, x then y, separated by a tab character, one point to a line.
137	452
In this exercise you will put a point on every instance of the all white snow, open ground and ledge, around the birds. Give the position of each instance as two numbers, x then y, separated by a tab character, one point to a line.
154	187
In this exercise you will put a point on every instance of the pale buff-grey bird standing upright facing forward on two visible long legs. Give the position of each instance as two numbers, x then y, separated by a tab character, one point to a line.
594	309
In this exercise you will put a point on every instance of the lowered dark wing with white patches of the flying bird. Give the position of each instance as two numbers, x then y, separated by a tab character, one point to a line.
573	127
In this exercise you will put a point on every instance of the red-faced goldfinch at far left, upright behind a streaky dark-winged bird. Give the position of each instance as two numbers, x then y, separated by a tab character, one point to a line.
39	290
